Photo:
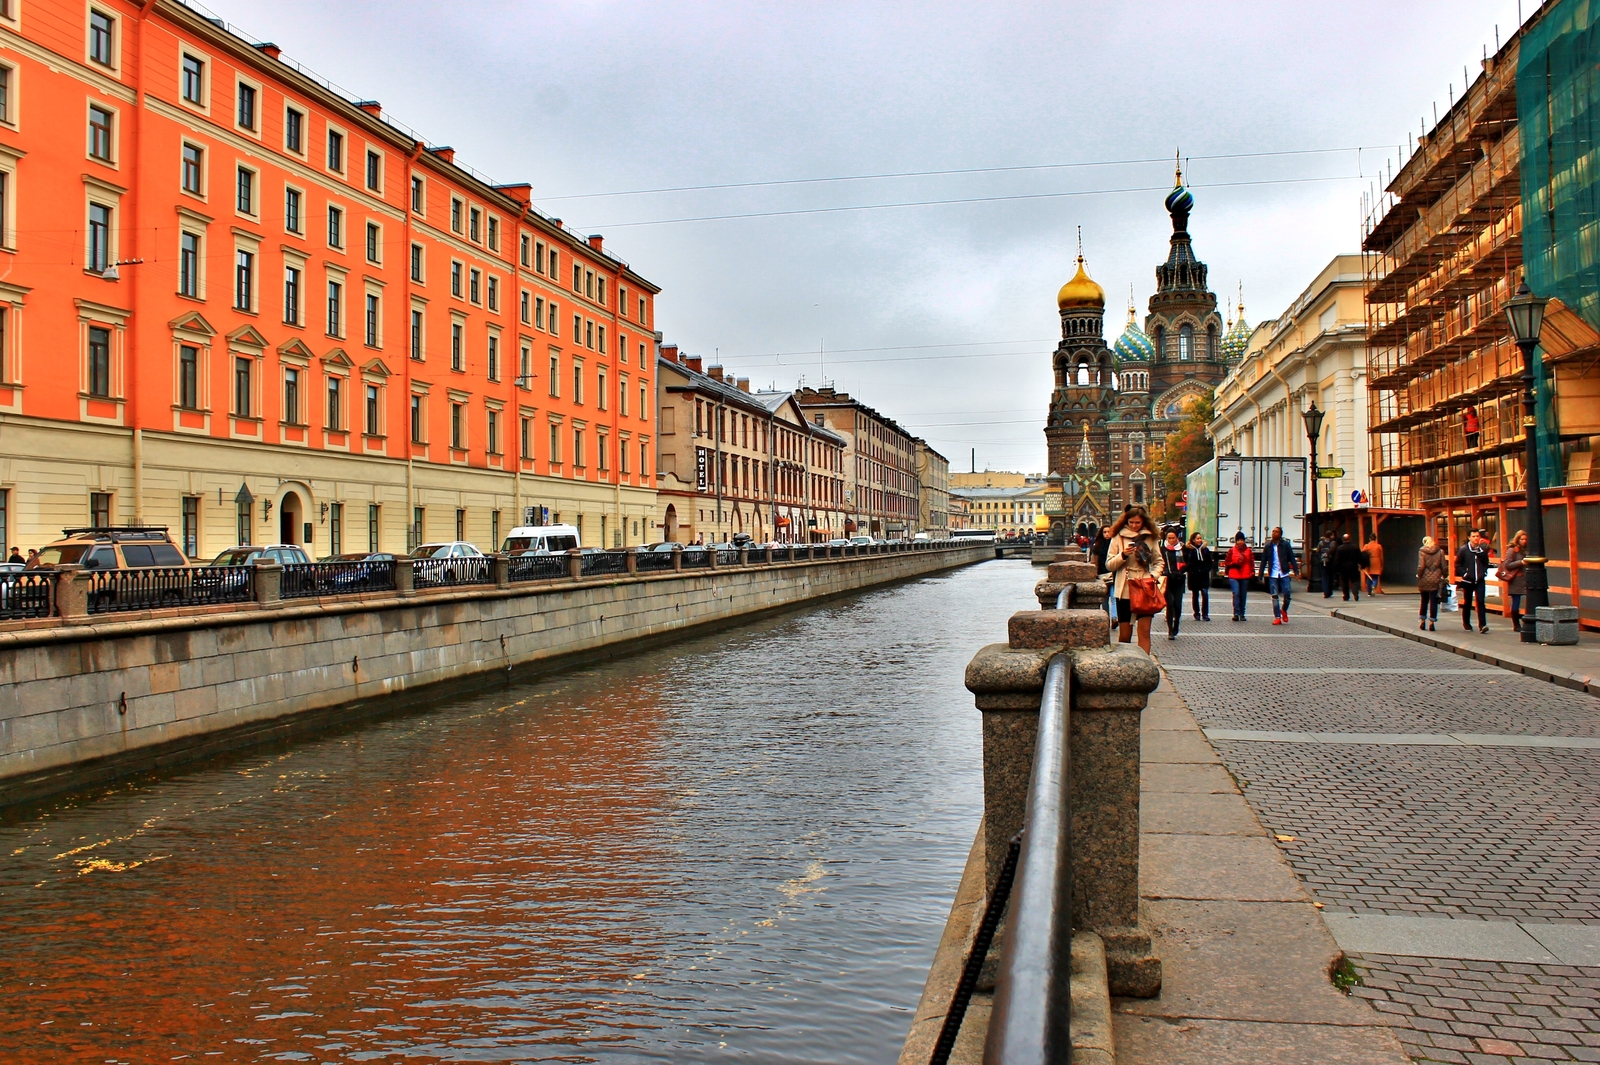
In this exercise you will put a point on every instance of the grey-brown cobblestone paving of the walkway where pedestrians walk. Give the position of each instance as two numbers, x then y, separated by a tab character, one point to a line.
1506	834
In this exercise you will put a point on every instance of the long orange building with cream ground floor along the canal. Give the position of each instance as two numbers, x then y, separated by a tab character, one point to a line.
242	306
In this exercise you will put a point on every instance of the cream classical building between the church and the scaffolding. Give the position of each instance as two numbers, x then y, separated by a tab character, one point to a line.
1316	351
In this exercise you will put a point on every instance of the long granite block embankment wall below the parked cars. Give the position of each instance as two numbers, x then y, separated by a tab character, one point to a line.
81	704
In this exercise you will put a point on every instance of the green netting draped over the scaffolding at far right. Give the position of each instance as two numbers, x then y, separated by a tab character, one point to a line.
1559	121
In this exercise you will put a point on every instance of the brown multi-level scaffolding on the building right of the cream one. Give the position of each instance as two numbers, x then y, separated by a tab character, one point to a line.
1442	250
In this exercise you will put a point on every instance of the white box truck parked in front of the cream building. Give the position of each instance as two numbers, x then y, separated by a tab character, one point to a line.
1249	495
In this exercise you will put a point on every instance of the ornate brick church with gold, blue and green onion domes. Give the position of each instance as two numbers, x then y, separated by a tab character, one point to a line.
1114	405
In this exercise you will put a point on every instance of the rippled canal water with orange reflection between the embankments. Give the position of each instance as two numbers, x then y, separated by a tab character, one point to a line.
735	848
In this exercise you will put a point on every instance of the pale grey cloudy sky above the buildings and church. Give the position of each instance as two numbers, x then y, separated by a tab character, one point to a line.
908	178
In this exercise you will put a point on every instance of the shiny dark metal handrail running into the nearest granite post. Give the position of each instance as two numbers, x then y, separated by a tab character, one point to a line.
1031	1019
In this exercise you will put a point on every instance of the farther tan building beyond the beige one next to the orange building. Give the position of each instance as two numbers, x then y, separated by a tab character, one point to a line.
881	465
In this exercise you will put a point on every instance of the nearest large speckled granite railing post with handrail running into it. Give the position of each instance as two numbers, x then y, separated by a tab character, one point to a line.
1110	688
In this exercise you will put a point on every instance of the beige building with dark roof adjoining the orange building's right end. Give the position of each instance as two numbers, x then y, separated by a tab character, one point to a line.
738	463
